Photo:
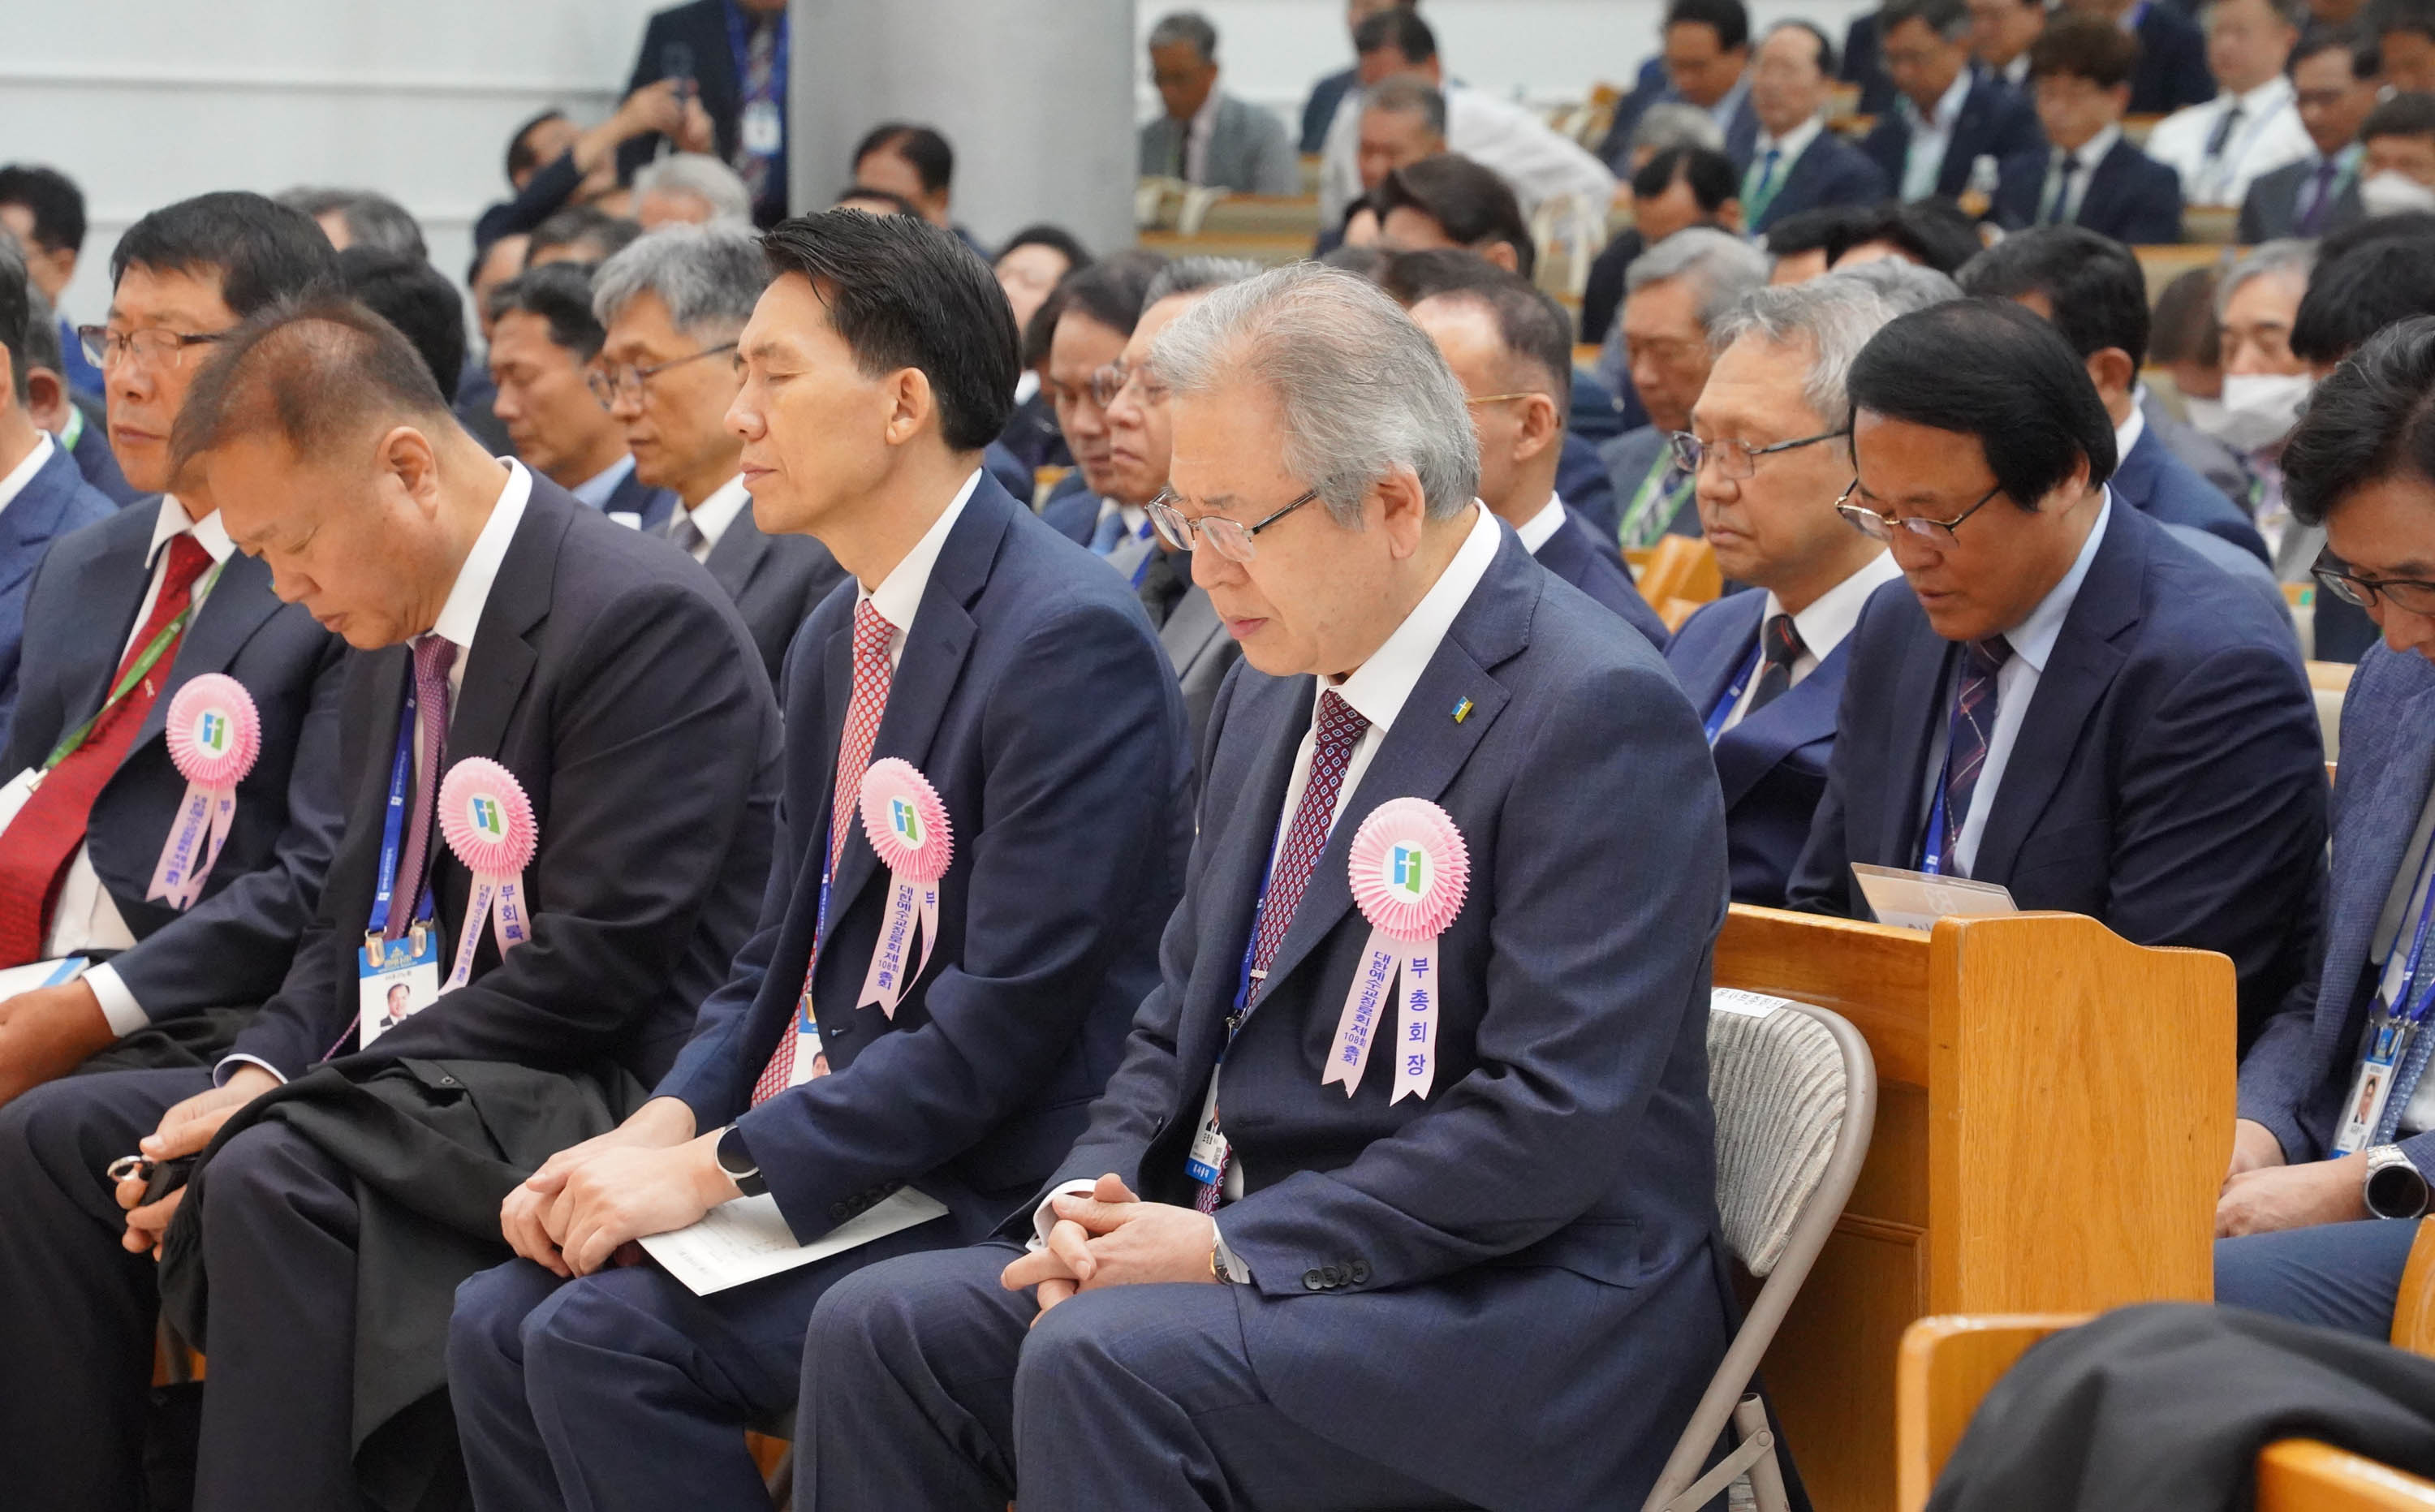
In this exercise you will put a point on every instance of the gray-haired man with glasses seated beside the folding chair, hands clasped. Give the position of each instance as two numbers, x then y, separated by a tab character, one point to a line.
1367	1199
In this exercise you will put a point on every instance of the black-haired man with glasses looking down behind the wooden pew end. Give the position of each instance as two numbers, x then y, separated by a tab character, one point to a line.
2061	698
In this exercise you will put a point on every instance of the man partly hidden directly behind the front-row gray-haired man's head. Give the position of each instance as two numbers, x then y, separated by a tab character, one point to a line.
1511	349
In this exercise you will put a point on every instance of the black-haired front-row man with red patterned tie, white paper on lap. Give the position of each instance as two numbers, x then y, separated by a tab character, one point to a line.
985	829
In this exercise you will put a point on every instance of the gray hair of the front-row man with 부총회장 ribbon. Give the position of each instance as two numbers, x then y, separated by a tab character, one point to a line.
1365	393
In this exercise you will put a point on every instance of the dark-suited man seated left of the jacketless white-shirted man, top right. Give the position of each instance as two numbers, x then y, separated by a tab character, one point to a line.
2090	174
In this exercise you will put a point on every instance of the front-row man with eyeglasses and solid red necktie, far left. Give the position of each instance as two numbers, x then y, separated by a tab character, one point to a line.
118	620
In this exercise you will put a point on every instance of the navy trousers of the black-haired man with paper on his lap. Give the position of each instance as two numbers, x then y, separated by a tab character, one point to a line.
625	1389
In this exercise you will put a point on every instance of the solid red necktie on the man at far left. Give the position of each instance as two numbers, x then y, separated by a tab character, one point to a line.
52	824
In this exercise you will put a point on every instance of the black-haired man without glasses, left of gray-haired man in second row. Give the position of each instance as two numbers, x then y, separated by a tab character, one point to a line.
544	342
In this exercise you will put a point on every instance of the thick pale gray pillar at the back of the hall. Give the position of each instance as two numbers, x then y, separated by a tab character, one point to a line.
1034	94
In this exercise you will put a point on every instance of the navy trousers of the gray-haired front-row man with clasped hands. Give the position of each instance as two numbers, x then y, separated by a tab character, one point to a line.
927	1387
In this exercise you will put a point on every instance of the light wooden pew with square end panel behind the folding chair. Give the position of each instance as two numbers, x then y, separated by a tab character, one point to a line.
2054	1121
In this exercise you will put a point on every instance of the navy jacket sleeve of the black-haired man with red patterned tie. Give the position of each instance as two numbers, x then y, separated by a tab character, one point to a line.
1077	739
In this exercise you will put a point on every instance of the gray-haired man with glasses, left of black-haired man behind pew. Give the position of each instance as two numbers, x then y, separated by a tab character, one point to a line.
1767	668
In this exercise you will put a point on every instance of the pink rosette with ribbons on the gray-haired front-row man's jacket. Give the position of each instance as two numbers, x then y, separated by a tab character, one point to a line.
1411	870
